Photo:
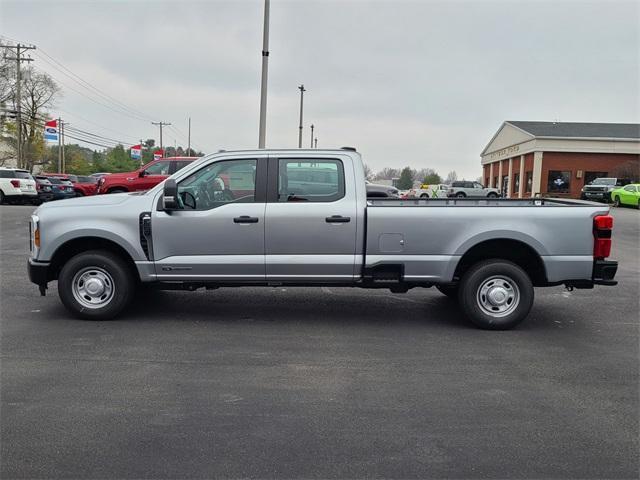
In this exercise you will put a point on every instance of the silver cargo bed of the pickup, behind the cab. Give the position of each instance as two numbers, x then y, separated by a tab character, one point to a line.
428	243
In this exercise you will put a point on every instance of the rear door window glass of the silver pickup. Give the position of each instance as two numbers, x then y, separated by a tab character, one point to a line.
310	180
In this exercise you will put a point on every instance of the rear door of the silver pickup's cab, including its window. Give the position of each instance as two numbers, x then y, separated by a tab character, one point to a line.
311	220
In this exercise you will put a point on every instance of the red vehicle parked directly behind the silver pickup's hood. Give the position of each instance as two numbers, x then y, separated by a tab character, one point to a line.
145	178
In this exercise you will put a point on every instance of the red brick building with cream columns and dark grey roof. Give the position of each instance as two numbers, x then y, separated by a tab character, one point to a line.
528	158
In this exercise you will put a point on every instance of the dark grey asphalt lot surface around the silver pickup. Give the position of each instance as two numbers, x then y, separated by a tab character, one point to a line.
318	383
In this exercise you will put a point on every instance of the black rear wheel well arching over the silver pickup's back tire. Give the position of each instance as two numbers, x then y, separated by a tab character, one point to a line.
506	249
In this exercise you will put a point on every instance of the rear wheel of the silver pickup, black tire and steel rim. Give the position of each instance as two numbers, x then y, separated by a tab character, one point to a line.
508	281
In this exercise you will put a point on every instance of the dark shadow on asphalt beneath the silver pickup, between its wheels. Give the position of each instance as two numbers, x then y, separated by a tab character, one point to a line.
299	305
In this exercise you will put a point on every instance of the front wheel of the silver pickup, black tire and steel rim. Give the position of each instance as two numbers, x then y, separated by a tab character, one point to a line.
111	270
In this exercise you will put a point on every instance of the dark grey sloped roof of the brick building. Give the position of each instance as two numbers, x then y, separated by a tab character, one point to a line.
579	130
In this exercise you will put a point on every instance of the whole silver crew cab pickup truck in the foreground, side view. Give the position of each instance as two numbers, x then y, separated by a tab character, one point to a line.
302	218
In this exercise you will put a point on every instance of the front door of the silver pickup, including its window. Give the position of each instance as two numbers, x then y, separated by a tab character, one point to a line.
218	235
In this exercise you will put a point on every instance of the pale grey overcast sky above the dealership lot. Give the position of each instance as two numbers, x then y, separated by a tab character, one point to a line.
419	83
